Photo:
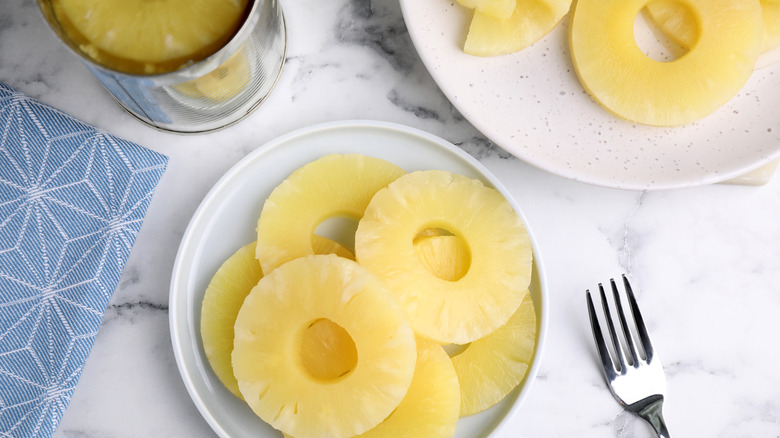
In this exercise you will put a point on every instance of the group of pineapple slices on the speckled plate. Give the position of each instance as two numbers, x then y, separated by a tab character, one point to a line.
722	39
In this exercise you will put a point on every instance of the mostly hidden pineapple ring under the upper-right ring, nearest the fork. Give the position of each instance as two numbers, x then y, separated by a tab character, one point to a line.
491	367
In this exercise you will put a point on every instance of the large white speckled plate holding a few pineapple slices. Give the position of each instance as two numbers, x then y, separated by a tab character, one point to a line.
532	104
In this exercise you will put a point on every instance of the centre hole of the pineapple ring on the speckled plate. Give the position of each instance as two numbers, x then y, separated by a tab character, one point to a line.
665	30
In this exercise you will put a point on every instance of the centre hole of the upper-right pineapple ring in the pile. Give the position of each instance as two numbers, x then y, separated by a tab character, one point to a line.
443	253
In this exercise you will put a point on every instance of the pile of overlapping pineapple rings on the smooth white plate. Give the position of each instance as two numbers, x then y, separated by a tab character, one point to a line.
327	343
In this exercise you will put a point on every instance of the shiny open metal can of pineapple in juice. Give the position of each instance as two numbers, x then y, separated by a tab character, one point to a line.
207	91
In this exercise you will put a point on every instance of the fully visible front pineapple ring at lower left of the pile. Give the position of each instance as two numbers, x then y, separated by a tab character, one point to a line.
282	383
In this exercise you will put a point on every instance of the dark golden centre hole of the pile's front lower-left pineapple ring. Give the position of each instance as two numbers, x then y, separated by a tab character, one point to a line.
328	352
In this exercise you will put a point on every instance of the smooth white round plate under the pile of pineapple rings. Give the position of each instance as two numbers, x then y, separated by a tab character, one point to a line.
226	220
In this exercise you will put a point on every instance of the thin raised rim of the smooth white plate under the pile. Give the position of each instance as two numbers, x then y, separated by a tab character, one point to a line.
179	291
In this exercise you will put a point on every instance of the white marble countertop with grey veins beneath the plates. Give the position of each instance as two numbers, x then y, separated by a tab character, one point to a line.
705	261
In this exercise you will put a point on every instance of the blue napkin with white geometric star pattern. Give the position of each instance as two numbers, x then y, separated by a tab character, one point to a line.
72	200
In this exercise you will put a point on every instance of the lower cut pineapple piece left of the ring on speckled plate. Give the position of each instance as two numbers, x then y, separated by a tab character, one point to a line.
530	21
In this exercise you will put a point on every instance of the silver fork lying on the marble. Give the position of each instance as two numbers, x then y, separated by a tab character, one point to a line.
637	382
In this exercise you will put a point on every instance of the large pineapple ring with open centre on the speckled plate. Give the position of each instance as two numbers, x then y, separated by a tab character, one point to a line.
635	87
